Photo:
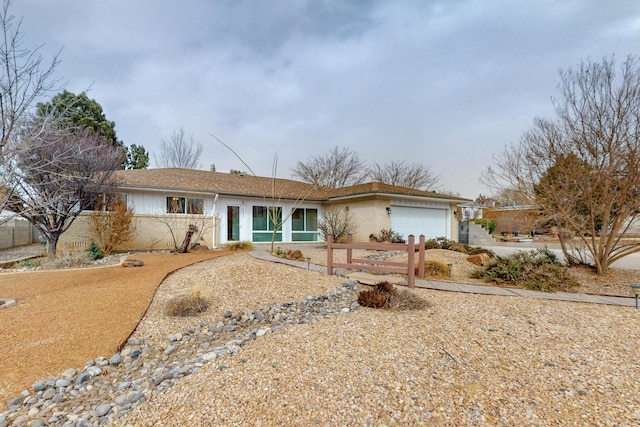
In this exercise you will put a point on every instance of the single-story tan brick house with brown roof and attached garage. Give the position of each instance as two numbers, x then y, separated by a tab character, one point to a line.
234	207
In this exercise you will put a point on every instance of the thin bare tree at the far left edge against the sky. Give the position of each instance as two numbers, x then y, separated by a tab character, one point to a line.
24	79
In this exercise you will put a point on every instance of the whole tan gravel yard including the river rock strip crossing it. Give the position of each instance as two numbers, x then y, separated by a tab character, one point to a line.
292	359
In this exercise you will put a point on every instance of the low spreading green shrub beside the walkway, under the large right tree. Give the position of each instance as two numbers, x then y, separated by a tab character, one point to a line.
537	270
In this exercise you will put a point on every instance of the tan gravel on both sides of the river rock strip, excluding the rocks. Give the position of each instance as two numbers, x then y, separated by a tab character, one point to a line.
466	360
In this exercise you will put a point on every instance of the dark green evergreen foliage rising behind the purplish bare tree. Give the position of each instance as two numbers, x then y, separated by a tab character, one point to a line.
78	110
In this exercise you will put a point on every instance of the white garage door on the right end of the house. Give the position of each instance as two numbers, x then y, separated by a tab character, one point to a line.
430	222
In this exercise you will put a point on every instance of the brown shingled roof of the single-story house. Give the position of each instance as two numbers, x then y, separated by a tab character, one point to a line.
191	180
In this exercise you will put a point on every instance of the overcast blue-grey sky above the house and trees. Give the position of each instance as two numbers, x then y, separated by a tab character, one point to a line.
445	83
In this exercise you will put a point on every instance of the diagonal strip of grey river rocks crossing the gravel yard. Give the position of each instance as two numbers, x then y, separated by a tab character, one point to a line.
85	397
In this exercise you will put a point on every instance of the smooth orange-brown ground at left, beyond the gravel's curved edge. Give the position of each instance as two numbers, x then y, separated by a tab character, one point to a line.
64	318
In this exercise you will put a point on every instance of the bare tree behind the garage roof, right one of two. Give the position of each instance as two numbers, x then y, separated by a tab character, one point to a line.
403	174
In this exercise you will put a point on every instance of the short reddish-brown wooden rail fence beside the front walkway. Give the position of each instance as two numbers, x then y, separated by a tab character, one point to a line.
408	268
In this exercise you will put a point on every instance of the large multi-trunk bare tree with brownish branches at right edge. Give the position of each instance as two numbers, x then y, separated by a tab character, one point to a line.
583	168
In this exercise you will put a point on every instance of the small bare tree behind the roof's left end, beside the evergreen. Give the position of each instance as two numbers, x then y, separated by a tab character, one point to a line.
179	152
